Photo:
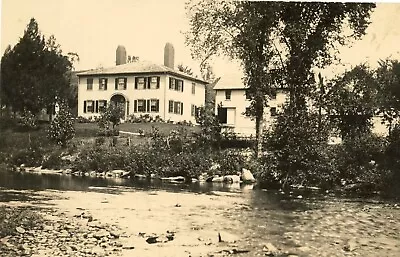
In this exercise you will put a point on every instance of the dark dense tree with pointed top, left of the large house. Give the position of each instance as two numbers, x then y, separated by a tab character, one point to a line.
34	72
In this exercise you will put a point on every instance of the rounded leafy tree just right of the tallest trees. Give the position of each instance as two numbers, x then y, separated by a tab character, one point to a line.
351	101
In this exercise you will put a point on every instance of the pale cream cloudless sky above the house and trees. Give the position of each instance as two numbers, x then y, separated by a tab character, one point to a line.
94	29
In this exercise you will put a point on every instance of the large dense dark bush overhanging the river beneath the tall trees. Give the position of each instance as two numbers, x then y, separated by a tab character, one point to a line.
299	149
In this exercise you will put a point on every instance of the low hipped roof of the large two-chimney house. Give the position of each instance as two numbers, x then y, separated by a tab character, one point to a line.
139	67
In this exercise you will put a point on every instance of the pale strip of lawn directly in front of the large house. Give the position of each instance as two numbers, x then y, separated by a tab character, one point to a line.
90	129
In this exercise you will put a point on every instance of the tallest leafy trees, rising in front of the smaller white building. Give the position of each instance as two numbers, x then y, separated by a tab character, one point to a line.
276	42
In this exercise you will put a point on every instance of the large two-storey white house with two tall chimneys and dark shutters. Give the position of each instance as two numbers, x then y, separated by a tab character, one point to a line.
141	87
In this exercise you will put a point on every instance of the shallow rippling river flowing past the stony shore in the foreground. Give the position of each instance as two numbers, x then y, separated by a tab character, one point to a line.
295	223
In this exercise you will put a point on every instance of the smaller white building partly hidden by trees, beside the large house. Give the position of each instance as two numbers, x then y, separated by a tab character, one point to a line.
232	101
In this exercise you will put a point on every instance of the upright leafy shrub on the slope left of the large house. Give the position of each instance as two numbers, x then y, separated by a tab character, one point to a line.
61	128
